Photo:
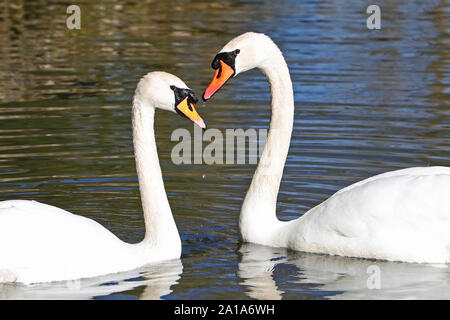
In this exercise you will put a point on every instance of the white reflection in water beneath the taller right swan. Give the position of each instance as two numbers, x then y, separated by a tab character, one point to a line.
336	277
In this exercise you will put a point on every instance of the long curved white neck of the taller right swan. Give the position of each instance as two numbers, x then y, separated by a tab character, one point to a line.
258	211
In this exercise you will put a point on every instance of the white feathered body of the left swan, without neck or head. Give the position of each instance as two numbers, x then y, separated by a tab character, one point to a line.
40	243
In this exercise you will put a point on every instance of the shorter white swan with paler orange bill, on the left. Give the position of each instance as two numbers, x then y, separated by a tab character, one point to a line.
42	243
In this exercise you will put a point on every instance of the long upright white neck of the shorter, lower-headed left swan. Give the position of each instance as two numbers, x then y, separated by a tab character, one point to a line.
160	227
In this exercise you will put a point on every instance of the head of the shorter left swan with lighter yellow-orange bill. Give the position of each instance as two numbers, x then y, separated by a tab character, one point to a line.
165	91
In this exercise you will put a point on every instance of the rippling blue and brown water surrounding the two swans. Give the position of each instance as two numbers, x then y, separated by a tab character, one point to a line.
367	101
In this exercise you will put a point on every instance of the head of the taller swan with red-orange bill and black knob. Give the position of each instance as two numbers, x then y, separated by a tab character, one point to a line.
245	52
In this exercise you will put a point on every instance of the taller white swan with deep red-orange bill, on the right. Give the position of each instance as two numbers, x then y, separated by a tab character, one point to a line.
401	215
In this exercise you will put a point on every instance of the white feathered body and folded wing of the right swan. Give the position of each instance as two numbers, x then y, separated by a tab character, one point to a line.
401	215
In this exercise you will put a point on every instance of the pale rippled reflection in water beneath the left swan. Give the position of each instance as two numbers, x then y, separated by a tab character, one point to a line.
157	279
